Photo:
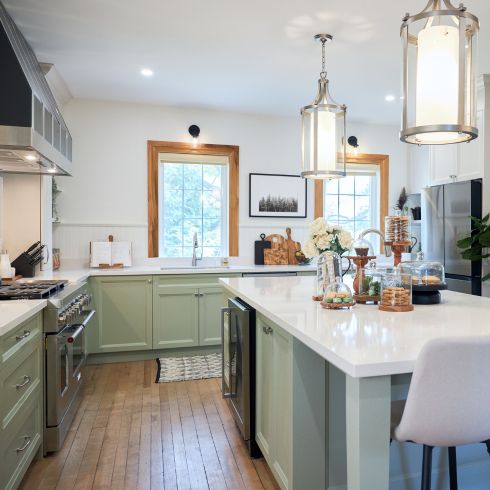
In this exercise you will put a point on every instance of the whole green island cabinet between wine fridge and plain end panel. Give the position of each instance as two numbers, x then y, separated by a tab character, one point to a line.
274	399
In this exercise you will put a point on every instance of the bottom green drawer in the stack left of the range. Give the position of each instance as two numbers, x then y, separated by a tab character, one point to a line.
20	443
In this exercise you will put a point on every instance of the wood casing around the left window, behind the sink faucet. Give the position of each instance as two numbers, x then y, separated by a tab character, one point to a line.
230	151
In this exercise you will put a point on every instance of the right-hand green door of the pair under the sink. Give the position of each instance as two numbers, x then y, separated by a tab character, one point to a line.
211	300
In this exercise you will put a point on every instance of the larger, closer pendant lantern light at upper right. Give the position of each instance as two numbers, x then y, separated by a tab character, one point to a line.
438	84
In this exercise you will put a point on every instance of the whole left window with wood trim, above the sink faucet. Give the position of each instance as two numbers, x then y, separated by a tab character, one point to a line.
192	190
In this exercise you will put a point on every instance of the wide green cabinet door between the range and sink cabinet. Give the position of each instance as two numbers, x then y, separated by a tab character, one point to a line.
124	314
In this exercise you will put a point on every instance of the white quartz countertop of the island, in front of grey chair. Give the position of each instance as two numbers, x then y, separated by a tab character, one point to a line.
363	341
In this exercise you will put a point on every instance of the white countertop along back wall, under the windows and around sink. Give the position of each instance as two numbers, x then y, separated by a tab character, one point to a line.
82	274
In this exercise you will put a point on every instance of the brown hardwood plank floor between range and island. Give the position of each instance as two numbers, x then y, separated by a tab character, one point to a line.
131	433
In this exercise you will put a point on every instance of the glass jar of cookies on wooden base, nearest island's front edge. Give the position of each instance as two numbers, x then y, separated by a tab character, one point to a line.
396	292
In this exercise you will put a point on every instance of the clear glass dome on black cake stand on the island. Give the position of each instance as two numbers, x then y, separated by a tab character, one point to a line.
428	278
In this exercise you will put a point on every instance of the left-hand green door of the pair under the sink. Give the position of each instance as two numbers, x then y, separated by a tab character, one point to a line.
175	316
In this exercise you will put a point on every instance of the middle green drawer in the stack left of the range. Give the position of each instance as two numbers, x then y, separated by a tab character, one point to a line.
19	378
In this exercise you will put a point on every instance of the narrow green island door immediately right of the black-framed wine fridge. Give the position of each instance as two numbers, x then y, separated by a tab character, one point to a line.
264	387
